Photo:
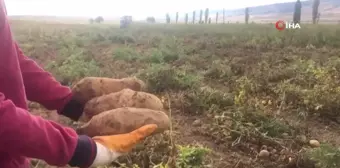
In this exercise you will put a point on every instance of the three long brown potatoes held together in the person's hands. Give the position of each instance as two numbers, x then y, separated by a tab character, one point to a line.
117	106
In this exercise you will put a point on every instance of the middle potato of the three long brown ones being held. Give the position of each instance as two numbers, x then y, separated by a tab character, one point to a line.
123	98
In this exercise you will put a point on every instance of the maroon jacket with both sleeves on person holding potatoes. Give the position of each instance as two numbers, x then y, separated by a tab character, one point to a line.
22	134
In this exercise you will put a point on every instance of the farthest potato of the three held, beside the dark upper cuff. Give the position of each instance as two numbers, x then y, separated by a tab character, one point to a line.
90	87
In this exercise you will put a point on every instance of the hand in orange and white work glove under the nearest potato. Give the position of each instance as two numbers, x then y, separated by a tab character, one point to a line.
109	148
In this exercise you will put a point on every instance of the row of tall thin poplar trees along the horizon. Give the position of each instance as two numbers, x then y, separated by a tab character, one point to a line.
207	19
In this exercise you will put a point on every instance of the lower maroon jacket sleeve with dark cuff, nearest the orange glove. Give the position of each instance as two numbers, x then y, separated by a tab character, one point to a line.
32	136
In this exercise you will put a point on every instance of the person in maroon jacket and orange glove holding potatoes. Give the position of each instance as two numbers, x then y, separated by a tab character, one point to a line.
24	135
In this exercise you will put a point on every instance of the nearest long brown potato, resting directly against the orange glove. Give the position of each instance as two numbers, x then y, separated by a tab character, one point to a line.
124	120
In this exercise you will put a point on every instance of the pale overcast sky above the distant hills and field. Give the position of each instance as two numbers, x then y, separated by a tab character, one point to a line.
136	8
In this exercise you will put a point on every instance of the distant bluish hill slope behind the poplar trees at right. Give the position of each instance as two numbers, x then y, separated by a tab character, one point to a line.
329	9
